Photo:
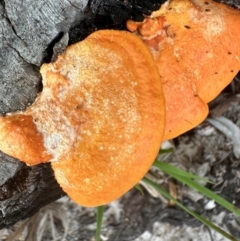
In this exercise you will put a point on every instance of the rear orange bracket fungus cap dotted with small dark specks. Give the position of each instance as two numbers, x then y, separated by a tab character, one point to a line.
196	46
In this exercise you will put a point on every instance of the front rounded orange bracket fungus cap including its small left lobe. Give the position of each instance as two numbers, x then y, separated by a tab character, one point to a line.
100	118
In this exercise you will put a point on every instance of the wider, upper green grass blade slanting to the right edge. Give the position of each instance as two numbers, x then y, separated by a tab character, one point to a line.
191	183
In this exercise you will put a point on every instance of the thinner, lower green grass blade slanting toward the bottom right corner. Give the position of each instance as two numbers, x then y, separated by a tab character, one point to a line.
194	214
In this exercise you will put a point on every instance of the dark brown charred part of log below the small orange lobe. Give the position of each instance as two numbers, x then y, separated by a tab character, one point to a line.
26	192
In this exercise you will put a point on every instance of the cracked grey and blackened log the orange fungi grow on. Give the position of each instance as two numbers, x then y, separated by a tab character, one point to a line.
30	33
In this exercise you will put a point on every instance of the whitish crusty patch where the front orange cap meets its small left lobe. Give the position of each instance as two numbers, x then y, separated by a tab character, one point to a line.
55	126
